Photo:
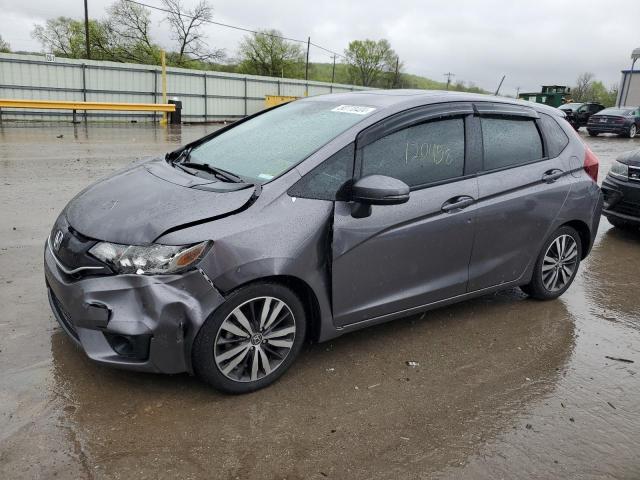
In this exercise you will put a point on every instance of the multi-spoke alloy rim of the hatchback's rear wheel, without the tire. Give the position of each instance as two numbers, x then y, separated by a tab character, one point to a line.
560	263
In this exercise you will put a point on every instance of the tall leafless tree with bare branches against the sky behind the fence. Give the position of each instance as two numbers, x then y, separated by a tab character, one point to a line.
186	26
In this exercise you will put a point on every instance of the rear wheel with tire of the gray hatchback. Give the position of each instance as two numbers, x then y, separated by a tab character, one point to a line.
556	266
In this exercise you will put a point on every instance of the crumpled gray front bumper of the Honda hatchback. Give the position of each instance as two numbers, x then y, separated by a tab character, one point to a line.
136	322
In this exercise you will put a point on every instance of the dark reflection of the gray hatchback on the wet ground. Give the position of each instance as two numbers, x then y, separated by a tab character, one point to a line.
482	365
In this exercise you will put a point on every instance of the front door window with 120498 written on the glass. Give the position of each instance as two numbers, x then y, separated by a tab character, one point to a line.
419	155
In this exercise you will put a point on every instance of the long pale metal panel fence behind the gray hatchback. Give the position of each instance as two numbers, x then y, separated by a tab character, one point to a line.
205	96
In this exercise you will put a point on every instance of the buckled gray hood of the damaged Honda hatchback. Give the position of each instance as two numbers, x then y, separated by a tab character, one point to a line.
137	205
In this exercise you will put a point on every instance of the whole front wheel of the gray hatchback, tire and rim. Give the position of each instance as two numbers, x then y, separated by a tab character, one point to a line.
251	340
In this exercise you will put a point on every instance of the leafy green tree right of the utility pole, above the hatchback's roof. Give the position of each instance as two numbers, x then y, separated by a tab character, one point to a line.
368	60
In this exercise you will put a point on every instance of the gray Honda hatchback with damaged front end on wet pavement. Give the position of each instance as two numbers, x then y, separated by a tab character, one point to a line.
317	218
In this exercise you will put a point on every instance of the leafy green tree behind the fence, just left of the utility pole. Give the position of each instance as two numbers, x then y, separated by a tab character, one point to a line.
266	53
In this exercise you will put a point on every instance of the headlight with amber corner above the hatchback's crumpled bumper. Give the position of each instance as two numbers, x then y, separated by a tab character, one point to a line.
150	260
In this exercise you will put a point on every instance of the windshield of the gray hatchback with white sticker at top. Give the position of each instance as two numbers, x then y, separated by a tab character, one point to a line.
268	145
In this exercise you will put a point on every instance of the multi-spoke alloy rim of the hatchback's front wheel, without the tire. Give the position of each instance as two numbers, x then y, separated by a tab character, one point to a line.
254	339
